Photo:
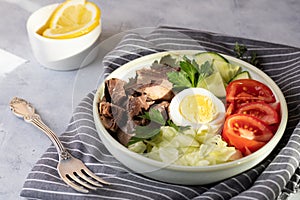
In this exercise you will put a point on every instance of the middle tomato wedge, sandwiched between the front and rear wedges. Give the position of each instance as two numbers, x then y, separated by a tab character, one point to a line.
260	110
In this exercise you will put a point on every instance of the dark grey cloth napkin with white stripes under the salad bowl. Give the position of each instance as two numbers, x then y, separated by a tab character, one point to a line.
275	178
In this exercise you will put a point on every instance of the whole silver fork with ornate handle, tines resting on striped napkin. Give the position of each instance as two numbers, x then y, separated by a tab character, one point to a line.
72	171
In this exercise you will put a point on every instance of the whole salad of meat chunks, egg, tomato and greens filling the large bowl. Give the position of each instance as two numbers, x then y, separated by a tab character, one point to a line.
194	111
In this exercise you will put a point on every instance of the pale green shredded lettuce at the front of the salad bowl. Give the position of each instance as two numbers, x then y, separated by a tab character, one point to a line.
188	147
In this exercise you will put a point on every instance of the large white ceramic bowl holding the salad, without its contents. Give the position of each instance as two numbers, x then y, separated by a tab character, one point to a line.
185	174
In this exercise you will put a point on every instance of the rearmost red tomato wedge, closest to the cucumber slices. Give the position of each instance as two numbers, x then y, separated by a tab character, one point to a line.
248	90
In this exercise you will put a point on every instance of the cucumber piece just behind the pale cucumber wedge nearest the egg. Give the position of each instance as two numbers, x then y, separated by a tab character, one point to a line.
227	70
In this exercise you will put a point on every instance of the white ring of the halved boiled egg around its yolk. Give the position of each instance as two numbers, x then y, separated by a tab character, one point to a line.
214	125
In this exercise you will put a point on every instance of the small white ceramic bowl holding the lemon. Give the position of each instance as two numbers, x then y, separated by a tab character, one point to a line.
60	54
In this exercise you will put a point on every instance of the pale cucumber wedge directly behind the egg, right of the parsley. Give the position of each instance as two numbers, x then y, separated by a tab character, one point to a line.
215	84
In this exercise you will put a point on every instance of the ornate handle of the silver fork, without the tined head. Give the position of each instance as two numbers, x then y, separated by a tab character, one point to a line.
24	109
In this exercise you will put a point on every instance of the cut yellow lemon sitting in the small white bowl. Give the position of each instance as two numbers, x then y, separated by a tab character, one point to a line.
73	18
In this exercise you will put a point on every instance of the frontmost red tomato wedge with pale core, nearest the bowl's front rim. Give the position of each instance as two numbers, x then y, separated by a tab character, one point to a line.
246	133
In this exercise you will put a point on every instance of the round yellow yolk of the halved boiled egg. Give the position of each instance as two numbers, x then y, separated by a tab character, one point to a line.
197	108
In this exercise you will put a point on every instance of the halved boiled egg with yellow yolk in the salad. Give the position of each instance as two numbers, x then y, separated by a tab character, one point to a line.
198	108
